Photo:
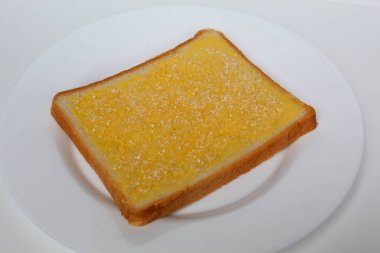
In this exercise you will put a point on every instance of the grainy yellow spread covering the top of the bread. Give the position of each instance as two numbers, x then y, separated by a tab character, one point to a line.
164	127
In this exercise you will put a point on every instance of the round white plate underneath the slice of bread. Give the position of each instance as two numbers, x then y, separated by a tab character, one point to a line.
267	209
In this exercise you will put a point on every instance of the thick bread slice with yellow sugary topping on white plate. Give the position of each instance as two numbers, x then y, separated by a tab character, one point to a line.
175	128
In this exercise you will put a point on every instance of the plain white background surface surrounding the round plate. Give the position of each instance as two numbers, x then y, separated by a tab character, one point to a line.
346	31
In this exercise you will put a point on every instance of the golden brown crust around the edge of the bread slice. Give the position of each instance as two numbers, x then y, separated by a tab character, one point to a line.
164	206
